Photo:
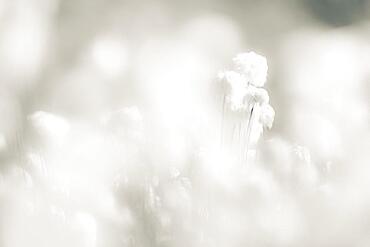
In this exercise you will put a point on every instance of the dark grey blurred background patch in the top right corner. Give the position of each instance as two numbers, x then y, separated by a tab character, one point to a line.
338	12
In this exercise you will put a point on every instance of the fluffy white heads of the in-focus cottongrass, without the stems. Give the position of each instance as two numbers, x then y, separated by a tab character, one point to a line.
244	86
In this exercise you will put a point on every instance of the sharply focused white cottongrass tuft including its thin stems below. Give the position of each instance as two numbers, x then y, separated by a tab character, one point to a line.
246	111
